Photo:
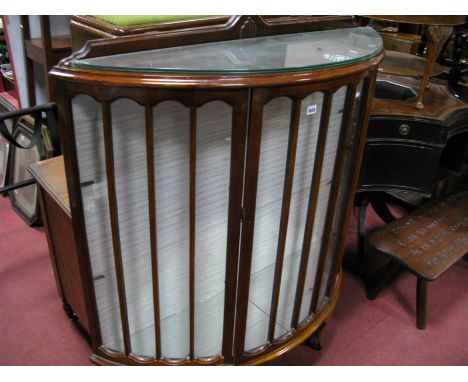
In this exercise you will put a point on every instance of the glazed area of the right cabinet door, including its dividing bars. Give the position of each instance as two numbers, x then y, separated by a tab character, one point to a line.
298	152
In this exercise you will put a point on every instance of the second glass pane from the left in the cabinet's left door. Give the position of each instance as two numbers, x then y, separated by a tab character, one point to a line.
129	141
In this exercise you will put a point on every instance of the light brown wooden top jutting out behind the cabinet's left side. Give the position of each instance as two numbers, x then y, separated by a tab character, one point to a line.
50	175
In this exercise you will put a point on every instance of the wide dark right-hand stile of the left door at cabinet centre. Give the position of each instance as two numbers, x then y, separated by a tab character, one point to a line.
235	216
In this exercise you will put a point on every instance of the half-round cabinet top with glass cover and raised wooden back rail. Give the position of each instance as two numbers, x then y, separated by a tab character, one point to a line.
219	58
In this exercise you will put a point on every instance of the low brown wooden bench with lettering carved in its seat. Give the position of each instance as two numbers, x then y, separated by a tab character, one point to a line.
426	242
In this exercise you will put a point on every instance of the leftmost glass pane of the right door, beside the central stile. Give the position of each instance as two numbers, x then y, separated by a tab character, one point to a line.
273	154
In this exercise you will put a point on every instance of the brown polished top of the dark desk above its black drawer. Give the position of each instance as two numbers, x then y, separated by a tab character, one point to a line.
438	101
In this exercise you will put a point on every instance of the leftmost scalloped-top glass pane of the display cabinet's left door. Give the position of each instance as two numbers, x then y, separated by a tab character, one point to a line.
89	137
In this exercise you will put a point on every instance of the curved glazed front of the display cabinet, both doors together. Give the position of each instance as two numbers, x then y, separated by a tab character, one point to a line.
212	222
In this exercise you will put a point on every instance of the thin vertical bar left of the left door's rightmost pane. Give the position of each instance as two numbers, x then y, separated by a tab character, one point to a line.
193	157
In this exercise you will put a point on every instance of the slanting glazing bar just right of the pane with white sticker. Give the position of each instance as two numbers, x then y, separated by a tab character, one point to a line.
313	196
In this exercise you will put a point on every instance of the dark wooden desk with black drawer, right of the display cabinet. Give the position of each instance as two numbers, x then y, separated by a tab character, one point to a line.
409	149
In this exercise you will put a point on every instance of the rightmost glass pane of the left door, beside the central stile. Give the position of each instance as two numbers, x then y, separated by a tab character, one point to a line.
213	161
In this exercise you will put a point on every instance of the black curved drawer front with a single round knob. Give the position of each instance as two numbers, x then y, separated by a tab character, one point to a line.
406	129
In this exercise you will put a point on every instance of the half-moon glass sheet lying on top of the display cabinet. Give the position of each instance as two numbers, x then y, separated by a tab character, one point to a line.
283	53
